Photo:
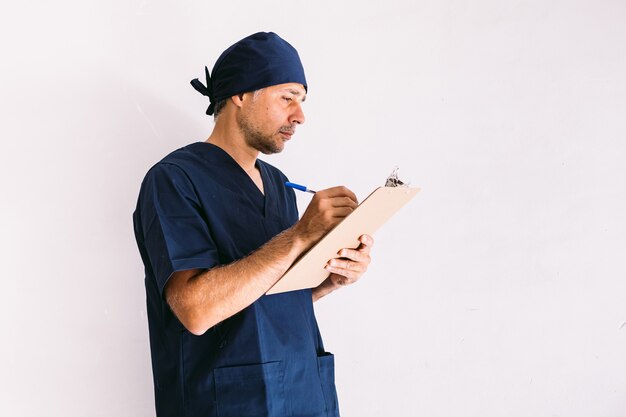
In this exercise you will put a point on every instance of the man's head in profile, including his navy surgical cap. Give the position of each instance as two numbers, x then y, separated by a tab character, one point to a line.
259	83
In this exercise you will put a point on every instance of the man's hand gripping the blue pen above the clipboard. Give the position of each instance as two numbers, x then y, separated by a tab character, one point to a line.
326	209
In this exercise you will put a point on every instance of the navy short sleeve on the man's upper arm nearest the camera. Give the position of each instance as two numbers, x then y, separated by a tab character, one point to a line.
176	236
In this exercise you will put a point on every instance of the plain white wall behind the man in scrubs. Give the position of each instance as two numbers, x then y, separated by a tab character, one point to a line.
499	291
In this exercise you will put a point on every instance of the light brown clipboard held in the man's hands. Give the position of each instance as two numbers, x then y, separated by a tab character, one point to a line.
308	271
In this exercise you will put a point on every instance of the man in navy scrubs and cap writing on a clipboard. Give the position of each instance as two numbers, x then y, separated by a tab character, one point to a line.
216	228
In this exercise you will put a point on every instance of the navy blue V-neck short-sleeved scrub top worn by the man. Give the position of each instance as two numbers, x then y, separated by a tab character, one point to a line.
198	208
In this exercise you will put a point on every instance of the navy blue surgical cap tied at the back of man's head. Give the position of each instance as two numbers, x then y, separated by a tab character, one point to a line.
260	60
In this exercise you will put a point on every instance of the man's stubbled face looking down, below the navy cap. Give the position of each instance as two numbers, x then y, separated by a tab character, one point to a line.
269	118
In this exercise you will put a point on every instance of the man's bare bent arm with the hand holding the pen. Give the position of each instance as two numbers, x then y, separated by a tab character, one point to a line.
203	298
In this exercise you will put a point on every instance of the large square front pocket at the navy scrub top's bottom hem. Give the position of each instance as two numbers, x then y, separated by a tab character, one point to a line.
250	391
